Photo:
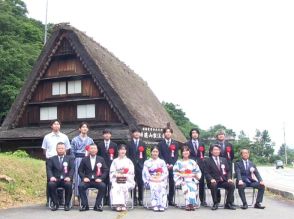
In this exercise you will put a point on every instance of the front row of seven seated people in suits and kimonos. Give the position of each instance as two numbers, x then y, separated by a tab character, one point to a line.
93	172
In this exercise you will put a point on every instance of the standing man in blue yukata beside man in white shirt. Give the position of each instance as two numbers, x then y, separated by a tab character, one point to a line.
79	150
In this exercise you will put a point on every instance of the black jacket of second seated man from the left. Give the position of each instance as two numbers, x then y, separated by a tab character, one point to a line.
85	169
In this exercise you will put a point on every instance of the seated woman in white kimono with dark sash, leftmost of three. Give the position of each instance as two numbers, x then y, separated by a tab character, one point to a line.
121	179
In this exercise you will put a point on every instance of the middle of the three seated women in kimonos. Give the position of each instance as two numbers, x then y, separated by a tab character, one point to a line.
155	175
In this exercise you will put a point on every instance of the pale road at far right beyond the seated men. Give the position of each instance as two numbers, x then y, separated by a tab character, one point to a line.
282	179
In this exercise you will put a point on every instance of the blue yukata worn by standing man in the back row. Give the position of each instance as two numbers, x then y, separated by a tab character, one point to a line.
78	150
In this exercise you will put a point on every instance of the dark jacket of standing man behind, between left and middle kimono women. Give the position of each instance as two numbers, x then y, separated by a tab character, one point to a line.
134	154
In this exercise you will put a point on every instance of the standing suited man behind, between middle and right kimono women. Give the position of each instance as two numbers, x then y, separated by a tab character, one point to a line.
168	151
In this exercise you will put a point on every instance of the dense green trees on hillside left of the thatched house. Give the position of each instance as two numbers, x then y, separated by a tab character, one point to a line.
21	41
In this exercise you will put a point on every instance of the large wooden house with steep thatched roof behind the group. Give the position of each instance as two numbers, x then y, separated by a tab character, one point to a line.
74	72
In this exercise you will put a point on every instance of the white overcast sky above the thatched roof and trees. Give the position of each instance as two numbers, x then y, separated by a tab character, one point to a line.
223	62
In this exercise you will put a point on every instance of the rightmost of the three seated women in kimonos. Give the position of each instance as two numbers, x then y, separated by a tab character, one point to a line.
186	174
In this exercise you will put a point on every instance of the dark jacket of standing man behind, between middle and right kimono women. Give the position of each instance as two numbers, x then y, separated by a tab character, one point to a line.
165	153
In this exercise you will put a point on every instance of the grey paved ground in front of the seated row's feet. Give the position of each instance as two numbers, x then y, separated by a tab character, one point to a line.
276	208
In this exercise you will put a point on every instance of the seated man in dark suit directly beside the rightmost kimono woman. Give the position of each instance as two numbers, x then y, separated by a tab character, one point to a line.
218	175
